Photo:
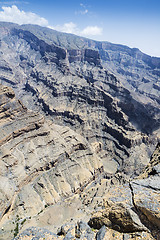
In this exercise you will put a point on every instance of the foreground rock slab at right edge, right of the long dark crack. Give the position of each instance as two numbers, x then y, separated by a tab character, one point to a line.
146	192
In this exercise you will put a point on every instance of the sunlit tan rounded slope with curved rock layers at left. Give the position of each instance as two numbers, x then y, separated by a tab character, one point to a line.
41	163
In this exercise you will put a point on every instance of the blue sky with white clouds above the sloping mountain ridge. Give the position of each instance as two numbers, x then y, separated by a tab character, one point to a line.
135	23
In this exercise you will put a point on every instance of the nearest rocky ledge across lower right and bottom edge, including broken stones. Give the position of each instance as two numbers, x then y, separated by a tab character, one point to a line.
126	212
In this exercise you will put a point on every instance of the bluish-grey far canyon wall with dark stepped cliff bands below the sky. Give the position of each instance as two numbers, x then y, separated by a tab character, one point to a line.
78	83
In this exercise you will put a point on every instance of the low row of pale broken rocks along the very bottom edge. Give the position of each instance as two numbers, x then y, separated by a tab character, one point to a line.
83	234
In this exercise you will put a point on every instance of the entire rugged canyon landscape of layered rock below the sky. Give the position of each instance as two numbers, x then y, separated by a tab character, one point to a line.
76	149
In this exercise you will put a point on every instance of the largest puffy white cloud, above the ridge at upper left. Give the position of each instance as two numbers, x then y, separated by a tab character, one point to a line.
13	14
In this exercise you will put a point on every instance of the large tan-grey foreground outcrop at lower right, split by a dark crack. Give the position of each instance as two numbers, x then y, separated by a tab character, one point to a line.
133	207
